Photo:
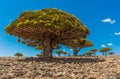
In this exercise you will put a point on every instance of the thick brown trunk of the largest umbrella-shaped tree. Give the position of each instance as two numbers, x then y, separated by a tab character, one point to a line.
47	48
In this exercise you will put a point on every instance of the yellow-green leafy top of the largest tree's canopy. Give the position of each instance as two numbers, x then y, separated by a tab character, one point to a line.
53	19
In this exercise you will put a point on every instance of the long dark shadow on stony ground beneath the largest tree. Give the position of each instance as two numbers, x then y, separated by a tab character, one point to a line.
64	60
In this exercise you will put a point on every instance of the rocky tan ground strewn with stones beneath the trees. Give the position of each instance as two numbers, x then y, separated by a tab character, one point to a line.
61	68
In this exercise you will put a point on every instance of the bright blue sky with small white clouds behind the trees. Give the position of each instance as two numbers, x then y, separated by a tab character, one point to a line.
100	16
